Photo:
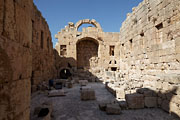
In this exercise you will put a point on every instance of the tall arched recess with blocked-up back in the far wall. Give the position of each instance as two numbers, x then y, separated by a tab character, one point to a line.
87	53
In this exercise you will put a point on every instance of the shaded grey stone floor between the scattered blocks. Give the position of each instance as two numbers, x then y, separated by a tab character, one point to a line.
70	107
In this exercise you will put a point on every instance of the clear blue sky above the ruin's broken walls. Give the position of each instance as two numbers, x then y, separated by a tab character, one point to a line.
109	13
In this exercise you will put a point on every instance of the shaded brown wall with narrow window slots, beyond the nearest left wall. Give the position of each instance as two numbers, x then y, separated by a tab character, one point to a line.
43	64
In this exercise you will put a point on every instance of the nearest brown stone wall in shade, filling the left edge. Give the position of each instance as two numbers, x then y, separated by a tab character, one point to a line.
15	59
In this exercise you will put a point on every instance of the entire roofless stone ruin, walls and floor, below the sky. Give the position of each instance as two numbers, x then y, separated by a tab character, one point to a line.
140	65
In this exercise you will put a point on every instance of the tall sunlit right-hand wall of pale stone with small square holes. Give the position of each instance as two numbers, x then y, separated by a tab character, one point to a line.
150	51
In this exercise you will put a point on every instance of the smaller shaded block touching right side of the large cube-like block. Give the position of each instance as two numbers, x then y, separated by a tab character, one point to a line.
151	102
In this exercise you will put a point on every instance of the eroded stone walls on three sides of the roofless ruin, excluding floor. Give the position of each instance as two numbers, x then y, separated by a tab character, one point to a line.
145	54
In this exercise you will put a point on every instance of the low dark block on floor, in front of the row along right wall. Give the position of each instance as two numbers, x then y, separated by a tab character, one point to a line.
113	109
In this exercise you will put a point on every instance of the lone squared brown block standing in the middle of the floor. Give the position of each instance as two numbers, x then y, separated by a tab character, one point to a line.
88	94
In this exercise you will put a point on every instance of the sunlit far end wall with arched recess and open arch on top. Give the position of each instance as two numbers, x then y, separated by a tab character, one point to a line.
70	37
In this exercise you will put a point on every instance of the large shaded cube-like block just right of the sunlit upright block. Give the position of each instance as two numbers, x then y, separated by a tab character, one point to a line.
135	101
